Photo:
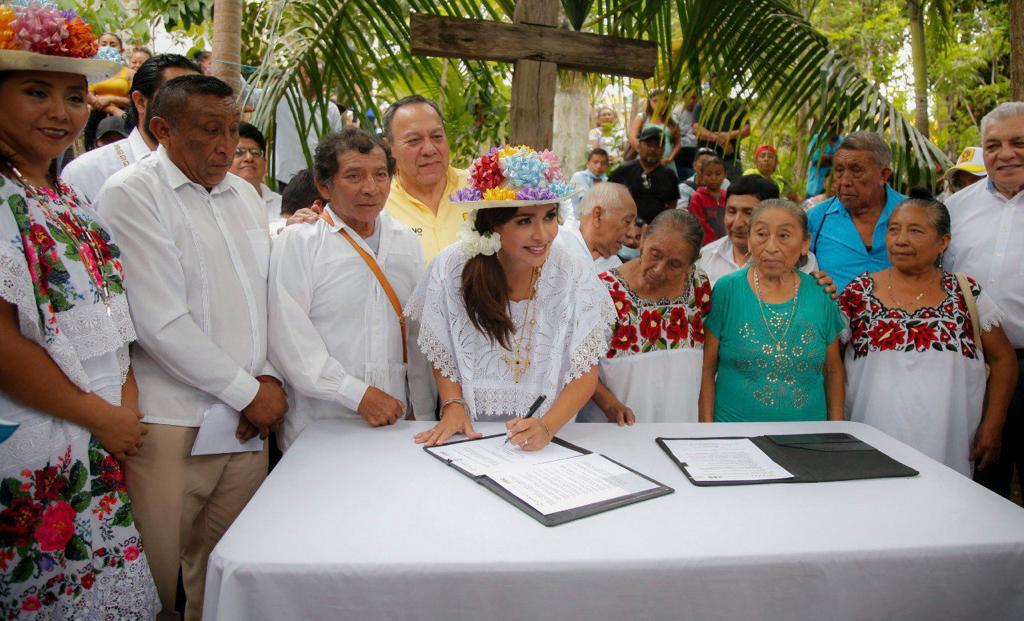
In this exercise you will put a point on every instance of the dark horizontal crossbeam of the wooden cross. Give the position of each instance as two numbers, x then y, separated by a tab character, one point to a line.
482	40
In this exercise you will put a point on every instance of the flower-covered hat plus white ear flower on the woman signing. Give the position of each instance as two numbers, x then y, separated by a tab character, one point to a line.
508	177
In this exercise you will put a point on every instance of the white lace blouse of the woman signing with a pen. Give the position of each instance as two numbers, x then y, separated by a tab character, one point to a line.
574	317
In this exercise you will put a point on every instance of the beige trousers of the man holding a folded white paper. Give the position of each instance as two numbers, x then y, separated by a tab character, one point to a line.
184	506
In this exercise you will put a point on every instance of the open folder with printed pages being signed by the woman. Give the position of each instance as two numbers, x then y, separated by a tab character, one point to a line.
558	484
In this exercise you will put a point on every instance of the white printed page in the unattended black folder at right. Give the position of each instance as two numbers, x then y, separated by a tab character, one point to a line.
726	460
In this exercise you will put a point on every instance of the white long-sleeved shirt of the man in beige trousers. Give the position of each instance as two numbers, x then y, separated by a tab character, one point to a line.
197	287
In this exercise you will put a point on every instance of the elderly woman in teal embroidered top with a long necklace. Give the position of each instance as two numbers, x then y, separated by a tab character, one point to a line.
772	340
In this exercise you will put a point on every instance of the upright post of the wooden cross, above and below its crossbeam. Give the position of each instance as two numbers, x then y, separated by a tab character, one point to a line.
534	84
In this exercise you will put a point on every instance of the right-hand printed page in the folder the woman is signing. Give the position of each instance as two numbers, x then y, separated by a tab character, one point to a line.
569	484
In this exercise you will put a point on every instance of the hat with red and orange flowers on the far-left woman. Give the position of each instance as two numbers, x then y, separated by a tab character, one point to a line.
38	36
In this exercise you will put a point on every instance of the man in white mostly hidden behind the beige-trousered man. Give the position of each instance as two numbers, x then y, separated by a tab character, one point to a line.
89	172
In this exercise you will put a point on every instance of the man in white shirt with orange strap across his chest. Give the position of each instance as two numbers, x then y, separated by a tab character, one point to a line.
335	333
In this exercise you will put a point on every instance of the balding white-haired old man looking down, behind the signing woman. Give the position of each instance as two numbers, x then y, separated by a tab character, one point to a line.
608	214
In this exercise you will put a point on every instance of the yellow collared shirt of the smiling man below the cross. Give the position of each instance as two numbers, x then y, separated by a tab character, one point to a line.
436	232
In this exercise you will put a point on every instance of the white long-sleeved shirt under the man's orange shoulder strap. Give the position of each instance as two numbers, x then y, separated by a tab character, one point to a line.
333	330
